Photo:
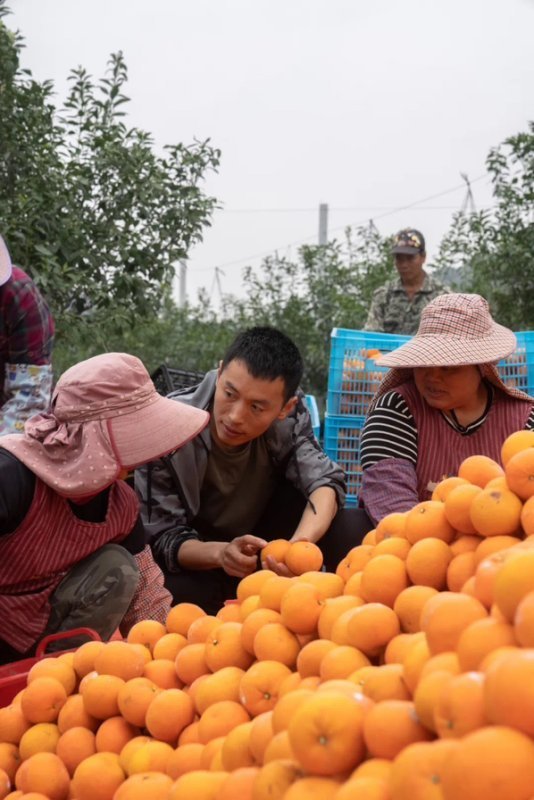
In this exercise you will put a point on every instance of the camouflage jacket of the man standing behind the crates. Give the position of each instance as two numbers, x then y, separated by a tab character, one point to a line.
392	311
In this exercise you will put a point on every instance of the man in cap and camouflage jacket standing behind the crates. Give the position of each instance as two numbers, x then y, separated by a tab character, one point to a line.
396	306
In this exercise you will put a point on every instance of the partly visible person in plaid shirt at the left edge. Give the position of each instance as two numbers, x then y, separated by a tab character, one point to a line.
26	338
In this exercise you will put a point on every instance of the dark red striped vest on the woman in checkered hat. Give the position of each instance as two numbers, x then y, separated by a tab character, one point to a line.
441	449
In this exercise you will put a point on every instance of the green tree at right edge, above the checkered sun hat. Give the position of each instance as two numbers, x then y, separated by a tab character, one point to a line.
492	251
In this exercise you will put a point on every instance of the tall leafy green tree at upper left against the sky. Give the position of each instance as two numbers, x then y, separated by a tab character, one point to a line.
86	204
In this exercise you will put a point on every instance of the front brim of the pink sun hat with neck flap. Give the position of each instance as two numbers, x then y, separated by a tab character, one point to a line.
155	430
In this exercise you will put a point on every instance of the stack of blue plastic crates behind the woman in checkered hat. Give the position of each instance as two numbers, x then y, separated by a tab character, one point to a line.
354	378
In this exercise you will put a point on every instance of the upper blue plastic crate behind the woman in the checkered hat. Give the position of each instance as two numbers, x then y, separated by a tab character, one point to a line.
354	375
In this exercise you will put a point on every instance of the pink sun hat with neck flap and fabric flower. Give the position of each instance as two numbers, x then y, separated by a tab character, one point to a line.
106	415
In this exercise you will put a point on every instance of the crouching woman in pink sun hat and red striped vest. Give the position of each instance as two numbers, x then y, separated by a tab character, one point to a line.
72	544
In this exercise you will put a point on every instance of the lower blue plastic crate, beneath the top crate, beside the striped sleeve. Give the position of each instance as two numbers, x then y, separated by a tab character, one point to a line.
342	445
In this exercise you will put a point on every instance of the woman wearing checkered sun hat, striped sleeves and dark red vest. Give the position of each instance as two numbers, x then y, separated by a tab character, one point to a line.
442	401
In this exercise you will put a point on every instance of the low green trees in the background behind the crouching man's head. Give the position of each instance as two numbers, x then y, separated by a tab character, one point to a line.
324	287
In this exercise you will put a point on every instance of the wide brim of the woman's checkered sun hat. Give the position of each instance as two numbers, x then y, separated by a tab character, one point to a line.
428	350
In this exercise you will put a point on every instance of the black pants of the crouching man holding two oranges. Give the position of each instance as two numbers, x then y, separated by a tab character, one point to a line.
210	588
